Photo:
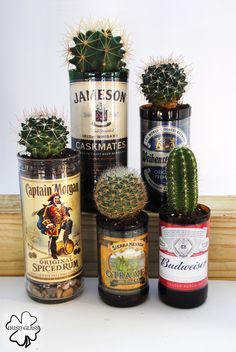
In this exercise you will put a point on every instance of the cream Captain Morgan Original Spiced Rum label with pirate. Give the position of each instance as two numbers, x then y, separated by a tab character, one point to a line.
51	213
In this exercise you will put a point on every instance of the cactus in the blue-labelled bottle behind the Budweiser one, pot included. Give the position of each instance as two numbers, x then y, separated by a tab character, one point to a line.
165	123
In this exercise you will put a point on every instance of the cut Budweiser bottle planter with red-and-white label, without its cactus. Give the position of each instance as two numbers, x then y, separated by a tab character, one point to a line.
183	258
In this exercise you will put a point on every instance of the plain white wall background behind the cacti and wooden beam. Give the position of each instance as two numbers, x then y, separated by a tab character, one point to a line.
33	74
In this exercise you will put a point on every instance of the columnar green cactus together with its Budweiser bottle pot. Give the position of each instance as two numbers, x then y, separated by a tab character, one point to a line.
184	235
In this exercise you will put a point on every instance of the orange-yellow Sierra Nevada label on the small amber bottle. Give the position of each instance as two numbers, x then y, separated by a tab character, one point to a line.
124	262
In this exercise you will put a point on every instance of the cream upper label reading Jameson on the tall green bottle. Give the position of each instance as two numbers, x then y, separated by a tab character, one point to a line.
99	110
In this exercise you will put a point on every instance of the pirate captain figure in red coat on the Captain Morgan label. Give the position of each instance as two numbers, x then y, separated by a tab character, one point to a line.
53	218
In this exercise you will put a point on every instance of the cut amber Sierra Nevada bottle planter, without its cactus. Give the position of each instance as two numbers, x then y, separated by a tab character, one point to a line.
123	260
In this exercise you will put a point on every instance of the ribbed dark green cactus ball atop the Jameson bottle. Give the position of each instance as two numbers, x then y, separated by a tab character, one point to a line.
97	49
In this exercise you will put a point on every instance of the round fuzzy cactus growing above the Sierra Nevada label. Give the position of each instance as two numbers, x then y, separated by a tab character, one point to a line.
120	193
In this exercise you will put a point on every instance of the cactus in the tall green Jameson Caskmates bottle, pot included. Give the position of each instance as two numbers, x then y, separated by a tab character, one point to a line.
98	95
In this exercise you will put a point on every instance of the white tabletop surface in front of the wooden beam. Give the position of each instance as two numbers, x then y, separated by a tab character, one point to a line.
87	324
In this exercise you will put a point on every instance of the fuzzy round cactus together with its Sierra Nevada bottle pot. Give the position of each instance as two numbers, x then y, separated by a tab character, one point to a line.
120	196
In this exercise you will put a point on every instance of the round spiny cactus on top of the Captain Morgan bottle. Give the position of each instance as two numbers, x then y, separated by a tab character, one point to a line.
44	135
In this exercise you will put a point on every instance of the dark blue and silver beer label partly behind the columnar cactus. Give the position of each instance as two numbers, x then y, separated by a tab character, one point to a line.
158	139
